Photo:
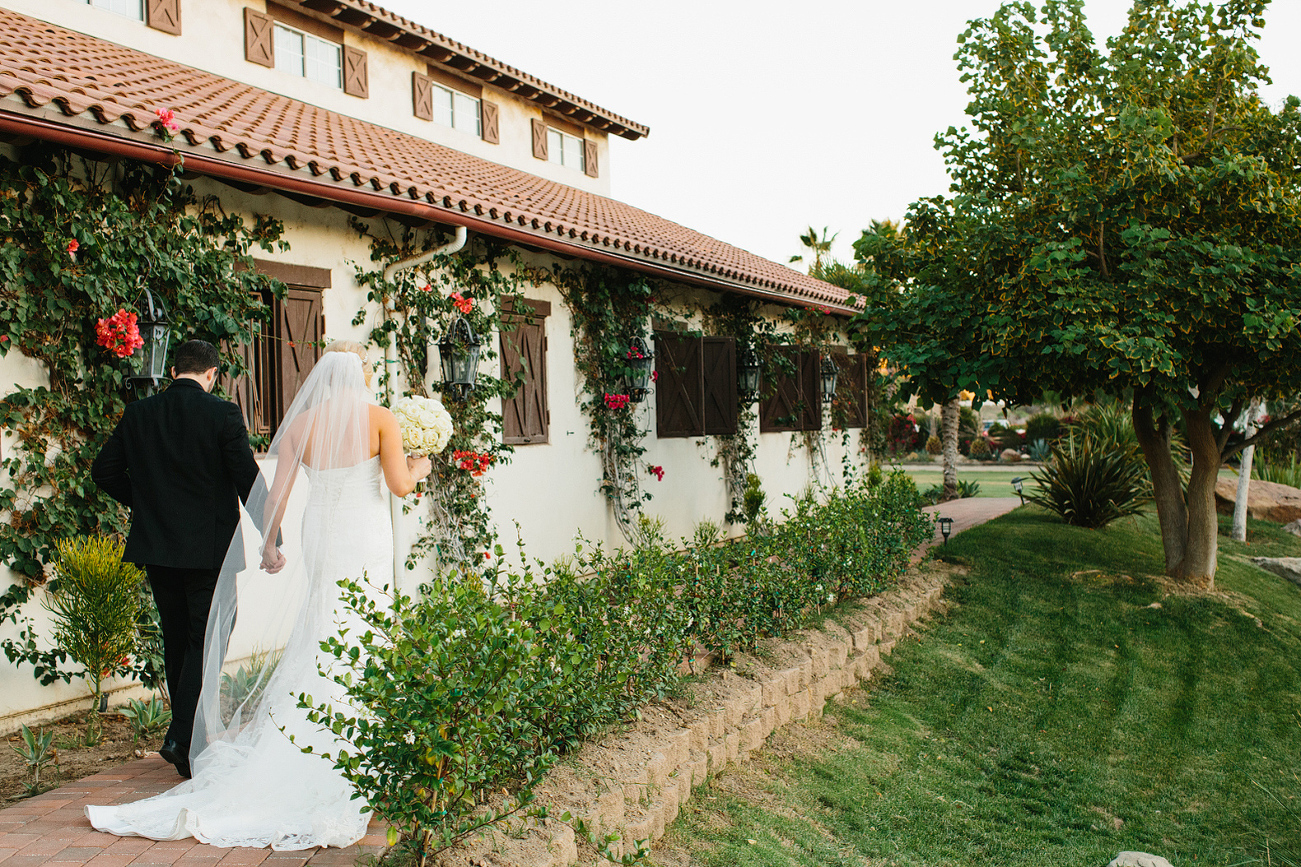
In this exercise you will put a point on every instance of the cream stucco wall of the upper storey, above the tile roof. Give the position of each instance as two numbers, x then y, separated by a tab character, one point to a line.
213	40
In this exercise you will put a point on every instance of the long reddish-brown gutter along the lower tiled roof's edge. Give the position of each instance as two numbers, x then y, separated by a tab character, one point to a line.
226	170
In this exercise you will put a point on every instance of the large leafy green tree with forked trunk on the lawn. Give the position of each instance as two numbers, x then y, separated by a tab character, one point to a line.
1123	222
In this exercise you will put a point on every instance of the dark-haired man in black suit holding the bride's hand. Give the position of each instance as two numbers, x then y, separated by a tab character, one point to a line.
181	461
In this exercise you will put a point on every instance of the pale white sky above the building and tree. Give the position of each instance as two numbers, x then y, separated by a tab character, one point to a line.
770	117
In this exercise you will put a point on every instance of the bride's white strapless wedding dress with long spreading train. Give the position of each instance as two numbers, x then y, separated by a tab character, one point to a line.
252	786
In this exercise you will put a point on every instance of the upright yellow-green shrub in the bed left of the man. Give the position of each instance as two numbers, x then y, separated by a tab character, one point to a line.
96	603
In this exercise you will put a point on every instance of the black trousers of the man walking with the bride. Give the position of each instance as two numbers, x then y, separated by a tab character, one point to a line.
184	598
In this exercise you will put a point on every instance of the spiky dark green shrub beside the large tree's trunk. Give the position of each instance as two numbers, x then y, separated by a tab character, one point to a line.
1088	486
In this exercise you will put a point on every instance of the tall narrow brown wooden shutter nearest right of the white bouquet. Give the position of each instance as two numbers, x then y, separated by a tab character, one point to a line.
526	417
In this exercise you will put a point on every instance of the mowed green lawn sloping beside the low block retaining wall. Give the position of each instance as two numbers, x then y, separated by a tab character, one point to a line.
1067	709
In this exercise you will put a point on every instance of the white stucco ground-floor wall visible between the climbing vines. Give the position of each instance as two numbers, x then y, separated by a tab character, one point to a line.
551	490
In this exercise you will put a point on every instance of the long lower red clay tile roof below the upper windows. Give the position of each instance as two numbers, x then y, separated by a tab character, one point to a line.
301	148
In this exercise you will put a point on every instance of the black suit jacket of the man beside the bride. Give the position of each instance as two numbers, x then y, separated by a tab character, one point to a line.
181	463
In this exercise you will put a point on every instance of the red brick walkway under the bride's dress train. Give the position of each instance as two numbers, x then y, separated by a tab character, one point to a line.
53	830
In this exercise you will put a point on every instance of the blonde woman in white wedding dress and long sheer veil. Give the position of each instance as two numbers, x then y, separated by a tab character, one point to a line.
253	783
